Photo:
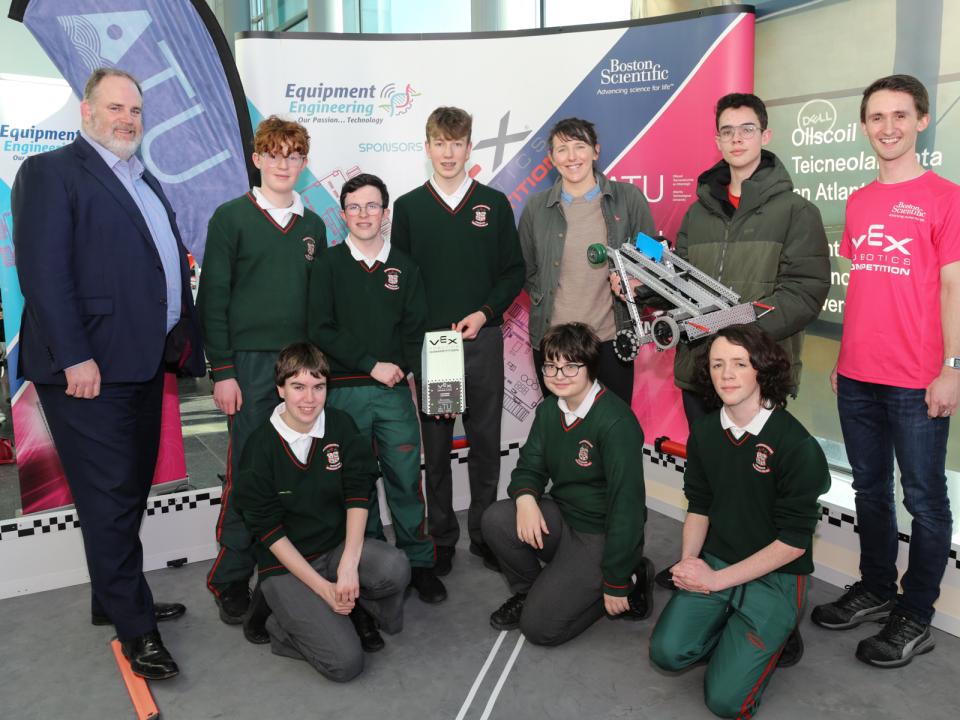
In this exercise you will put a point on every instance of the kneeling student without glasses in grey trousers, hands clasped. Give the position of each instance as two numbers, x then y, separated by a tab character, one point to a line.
305	481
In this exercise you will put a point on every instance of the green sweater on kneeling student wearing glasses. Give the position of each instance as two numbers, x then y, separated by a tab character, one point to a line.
595	471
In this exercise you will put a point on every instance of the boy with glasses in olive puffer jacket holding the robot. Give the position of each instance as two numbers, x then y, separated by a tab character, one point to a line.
754	234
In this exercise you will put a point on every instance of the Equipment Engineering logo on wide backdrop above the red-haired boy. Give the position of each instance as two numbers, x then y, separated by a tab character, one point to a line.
322	103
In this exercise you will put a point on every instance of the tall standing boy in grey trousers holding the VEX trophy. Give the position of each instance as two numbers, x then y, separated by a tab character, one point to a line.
463	236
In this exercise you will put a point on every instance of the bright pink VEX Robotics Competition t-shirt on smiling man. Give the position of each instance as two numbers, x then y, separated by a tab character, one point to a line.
897	236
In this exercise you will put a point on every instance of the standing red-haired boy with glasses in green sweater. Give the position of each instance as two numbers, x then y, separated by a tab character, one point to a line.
252	302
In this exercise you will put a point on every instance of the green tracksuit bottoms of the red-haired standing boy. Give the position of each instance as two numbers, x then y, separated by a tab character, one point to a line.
235	561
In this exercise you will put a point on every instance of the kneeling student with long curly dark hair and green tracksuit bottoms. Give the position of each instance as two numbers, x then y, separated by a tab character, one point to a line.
752	481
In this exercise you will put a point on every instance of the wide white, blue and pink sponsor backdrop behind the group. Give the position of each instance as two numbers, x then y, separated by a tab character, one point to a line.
649	86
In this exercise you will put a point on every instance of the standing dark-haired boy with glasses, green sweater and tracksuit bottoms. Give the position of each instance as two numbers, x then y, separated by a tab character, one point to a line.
367	313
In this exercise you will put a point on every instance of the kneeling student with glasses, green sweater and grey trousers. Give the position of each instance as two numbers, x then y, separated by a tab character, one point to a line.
587	445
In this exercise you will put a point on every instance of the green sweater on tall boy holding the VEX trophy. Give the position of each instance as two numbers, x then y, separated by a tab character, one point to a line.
469	256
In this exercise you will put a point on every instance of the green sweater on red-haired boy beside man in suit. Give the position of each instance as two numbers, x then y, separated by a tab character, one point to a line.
254	280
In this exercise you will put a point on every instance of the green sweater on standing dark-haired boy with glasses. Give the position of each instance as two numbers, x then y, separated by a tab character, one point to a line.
361	315
